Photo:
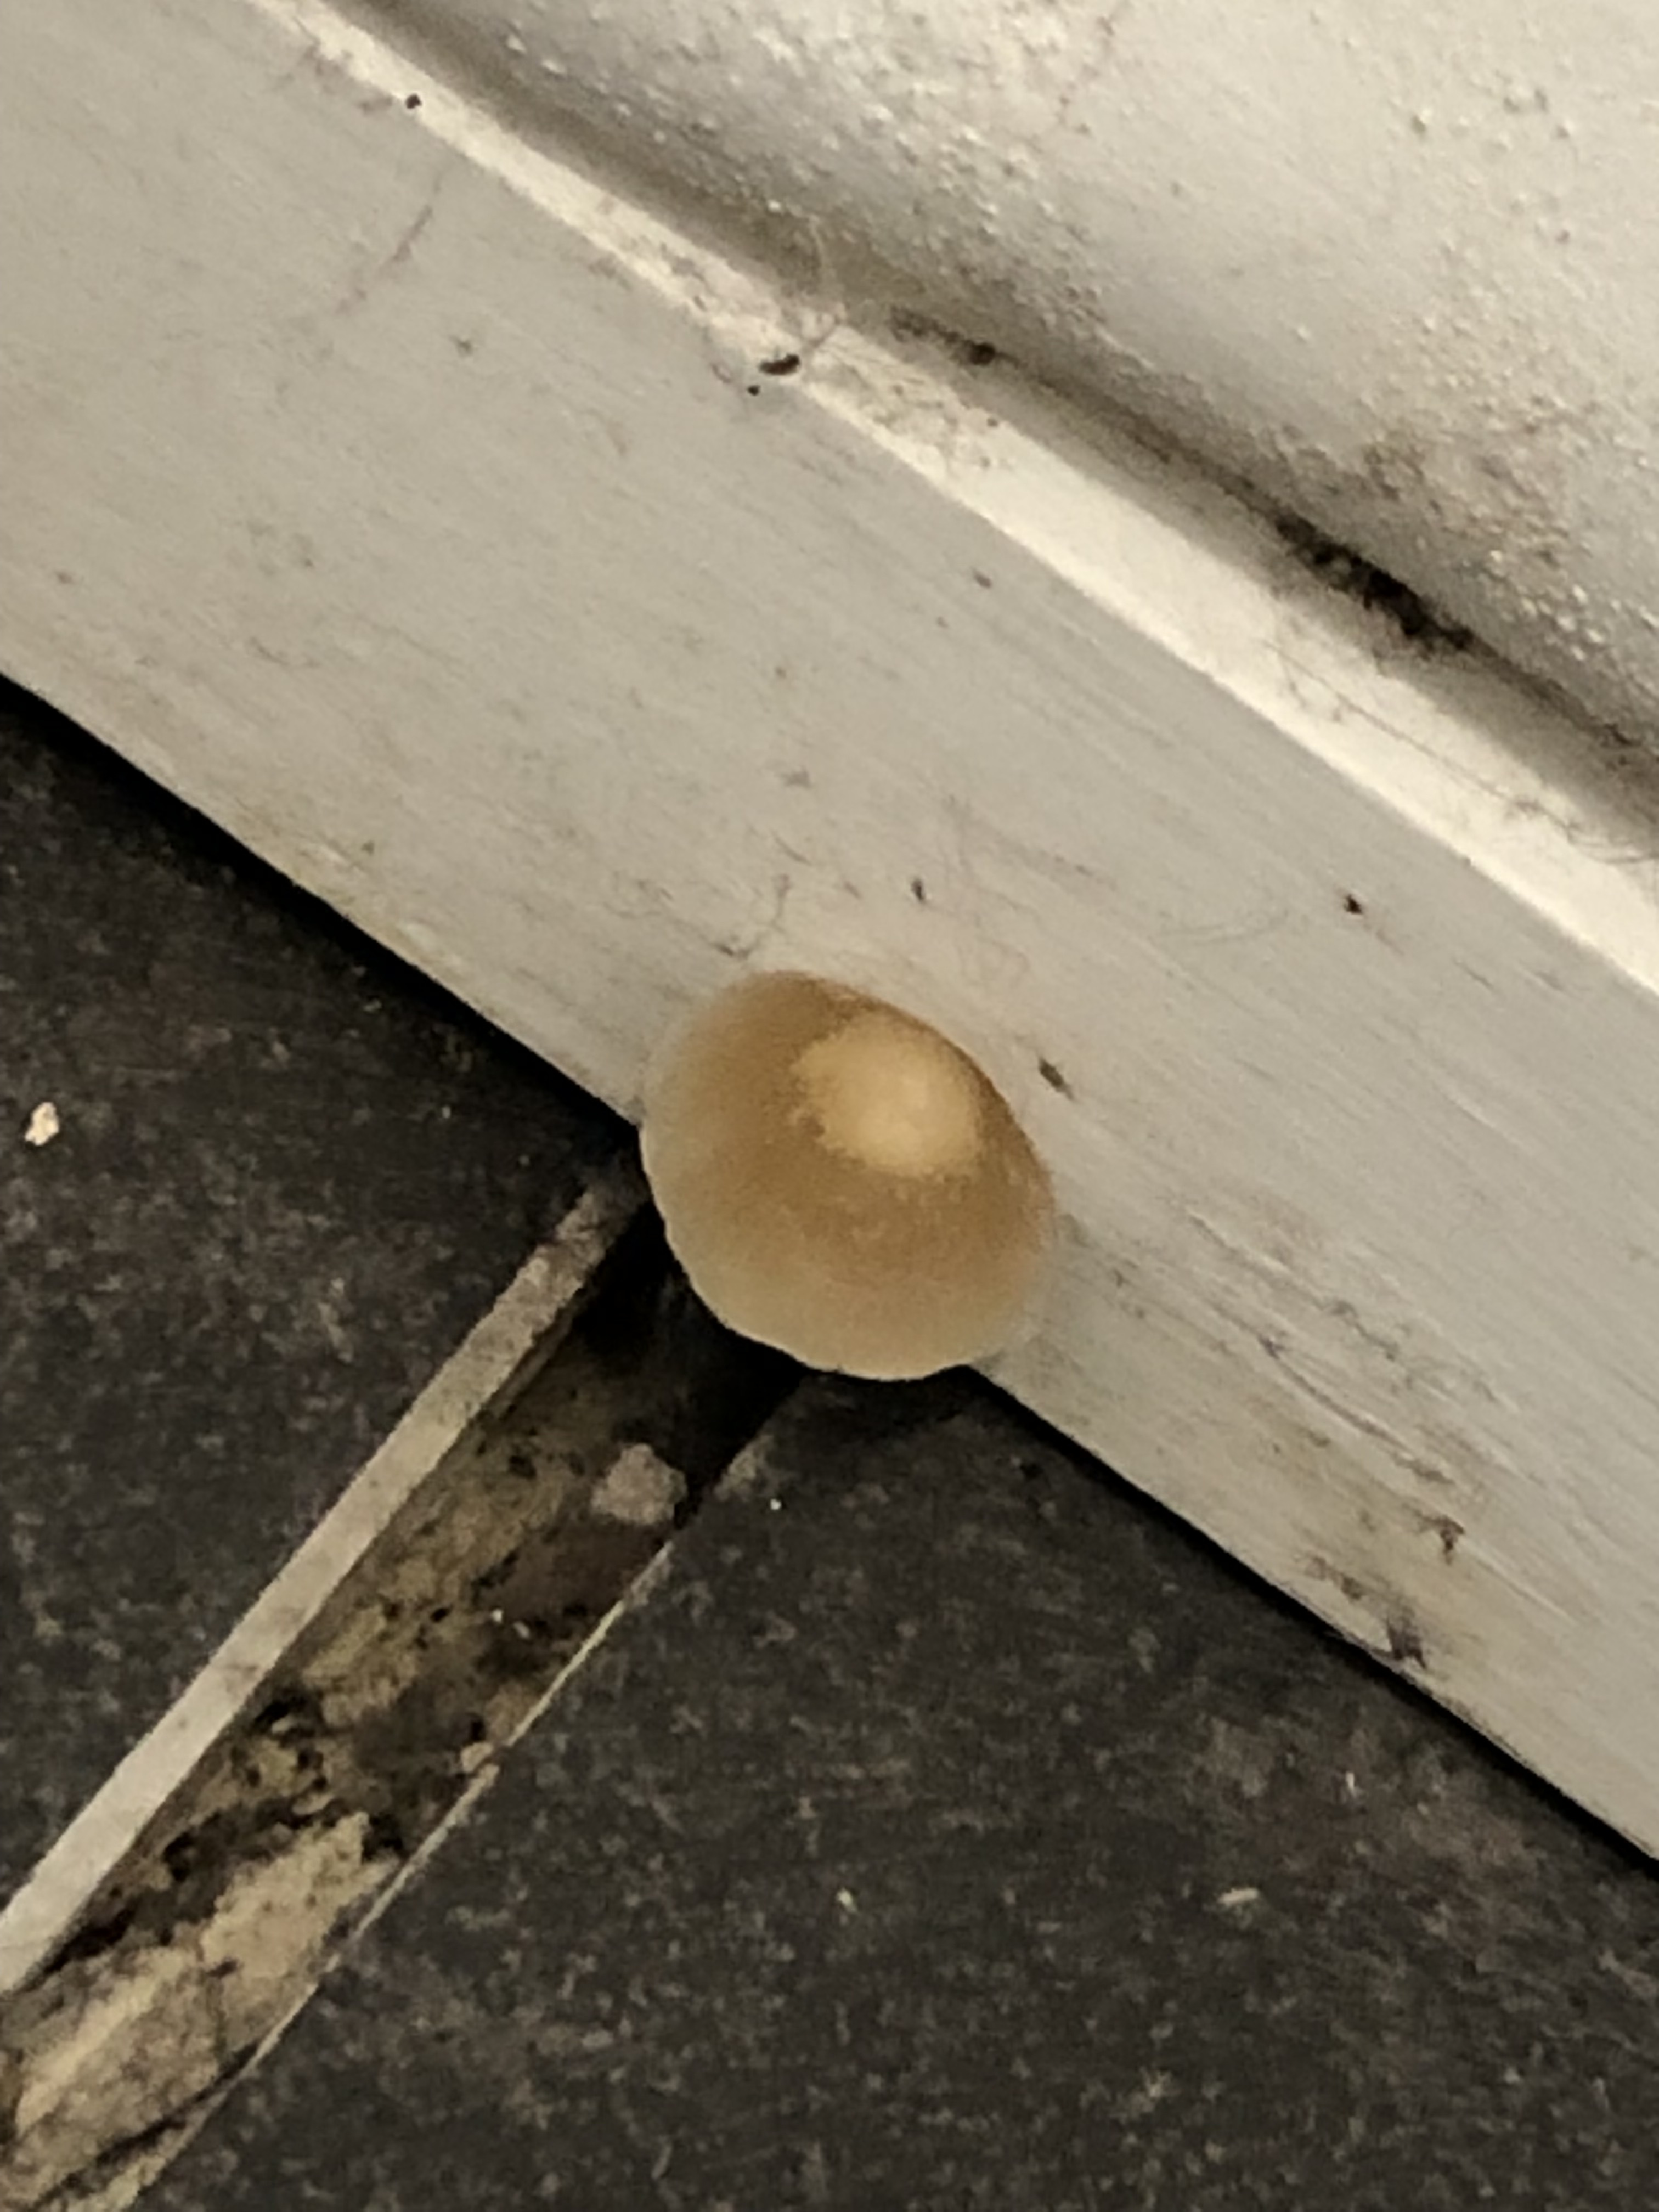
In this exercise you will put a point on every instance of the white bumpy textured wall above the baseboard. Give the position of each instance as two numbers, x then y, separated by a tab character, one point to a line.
1392	262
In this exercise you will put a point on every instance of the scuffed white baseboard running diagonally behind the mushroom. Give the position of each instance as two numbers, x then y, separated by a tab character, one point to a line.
432	521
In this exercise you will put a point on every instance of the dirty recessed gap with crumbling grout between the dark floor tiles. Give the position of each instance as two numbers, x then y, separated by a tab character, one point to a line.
388	1713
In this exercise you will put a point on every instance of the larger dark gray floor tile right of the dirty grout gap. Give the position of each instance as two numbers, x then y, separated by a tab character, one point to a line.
950	1830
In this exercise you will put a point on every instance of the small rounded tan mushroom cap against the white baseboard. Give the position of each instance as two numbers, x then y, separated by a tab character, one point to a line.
842	1182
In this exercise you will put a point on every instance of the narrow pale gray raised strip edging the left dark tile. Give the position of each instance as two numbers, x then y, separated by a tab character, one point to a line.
499	1355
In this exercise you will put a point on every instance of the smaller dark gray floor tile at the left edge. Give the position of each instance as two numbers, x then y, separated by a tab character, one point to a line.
286	1182
